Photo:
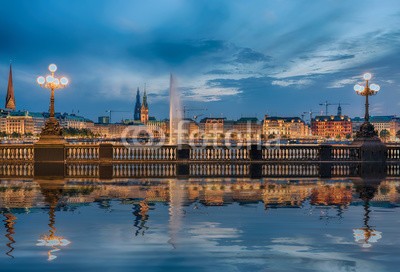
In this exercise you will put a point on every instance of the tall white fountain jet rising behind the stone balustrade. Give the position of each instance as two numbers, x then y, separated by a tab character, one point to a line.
175	112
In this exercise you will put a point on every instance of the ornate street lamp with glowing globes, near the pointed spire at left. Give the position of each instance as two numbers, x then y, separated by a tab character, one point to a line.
51	82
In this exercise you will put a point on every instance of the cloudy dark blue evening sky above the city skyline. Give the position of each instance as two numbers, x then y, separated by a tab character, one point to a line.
278	57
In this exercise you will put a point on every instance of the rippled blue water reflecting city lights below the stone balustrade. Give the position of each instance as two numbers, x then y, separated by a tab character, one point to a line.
199	225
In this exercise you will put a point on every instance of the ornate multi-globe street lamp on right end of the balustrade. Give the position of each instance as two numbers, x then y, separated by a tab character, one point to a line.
367	130
